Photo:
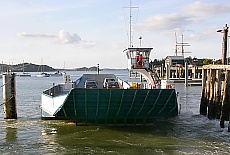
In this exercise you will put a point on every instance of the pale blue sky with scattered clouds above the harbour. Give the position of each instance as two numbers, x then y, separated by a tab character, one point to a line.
77	33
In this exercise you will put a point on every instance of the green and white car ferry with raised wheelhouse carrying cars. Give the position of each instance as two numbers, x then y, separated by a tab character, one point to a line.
128	103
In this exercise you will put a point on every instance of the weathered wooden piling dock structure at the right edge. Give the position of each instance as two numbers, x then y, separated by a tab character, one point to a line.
215	99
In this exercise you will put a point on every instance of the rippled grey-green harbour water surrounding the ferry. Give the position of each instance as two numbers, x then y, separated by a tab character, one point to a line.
188	133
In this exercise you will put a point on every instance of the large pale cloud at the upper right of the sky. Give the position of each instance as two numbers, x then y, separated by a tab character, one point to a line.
193	14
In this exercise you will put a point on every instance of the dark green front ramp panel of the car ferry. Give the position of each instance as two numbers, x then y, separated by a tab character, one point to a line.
118	106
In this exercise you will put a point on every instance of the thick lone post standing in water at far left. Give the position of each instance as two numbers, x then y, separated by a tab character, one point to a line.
9	96
